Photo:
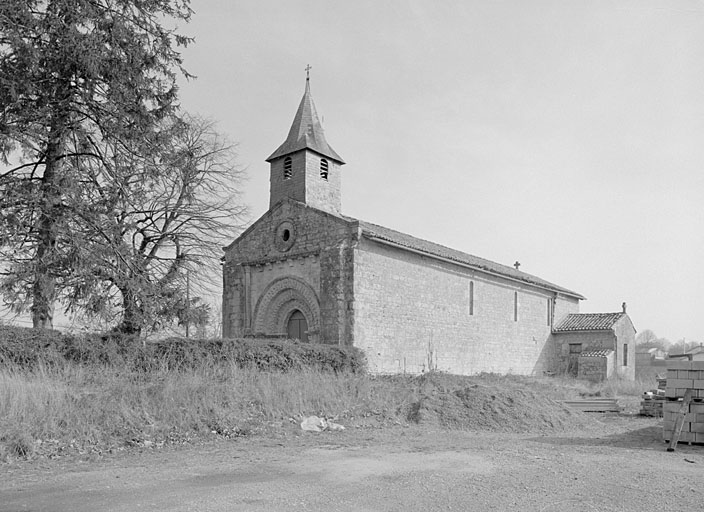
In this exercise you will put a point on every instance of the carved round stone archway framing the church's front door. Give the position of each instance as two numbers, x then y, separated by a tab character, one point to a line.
279	300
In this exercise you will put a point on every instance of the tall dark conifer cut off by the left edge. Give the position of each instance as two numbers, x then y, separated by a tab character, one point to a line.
76	77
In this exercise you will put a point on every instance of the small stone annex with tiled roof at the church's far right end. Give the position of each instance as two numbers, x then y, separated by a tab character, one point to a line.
597	346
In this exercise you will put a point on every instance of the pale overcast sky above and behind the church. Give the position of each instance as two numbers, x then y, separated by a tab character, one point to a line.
567	135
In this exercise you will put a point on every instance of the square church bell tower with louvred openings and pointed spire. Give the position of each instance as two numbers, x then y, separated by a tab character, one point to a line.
305	167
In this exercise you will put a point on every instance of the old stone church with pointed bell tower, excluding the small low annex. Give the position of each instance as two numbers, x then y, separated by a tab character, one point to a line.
306	271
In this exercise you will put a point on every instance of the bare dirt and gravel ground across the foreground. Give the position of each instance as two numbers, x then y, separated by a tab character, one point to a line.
617	462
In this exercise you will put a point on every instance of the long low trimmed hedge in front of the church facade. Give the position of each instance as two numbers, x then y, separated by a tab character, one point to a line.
29	348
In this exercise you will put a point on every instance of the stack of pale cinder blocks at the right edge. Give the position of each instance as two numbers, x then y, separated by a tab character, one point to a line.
683	375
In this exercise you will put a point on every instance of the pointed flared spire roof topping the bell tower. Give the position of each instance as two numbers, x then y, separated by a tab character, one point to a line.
306	132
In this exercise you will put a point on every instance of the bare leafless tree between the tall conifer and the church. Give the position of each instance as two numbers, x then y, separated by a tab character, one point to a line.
144	225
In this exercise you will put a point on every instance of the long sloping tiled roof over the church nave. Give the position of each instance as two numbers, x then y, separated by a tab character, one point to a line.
417	244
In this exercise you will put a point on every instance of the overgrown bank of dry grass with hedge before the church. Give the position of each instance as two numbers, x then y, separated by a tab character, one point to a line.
86	400
